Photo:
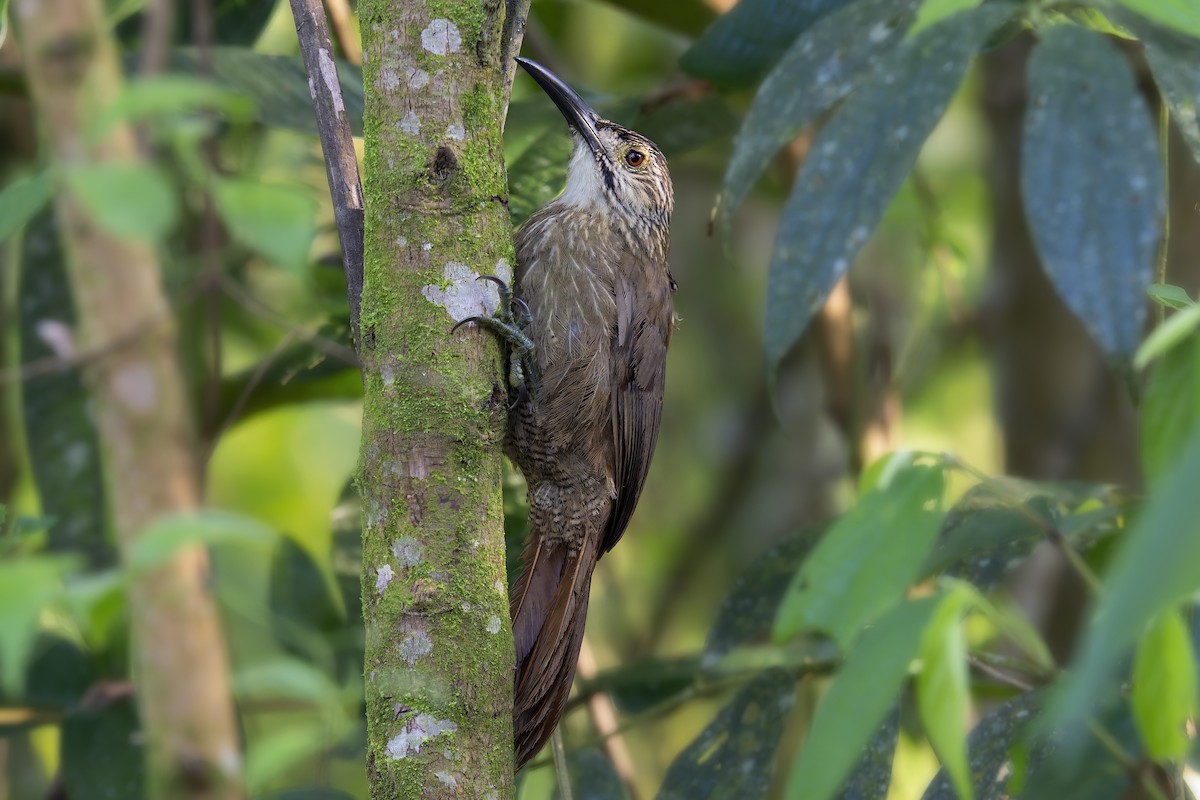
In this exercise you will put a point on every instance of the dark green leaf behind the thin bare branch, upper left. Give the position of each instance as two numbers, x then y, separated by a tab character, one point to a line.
278	86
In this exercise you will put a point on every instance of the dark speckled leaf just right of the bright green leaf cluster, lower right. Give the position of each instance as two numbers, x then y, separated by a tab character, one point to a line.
995	526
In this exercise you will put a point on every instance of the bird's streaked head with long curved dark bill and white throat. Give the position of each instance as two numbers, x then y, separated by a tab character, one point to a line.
610	164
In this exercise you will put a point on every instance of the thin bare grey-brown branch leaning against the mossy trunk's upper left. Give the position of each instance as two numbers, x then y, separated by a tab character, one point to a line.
337	143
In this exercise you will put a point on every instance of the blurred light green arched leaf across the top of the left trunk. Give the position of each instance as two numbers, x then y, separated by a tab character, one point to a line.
170	95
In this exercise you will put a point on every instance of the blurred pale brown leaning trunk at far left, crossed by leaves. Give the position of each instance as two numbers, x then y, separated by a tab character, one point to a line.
141	413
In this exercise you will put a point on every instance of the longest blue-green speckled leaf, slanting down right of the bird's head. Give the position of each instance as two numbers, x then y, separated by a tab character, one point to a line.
857	164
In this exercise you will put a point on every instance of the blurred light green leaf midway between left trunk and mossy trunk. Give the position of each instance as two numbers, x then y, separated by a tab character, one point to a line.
274	221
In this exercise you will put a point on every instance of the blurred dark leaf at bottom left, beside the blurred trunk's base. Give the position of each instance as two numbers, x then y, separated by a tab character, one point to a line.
104	751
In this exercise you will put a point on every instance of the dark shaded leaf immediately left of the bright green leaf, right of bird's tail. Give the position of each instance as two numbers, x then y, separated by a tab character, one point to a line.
749	610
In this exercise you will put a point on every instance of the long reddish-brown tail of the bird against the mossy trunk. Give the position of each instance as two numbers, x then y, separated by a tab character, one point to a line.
550	609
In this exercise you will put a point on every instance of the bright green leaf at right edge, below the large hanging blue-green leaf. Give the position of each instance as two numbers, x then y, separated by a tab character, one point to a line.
1171	410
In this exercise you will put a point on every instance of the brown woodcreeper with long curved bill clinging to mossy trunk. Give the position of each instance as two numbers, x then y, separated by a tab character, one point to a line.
589	323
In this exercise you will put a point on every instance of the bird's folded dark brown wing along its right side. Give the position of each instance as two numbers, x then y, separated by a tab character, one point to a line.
639	374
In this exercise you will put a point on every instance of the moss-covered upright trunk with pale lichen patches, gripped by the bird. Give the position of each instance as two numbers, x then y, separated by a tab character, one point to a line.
440	649
